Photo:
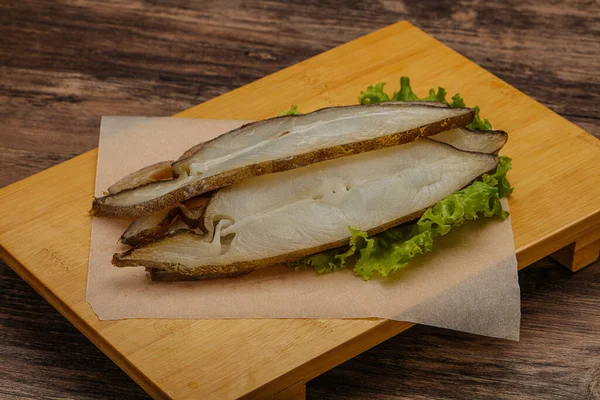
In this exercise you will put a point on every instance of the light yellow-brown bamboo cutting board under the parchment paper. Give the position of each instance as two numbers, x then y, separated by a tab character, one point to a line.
45	227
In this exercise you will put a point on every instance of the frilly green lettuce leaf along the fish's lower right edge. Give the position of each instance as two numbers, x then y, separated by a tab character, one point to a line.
391	250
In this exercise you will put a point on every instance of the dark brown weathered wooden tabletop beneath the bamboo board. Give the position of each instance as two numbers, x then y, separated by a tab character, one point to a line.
63	64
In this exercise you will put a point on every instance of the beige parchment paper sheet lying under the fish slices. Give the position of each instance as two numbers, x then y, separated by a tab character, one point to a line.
469	283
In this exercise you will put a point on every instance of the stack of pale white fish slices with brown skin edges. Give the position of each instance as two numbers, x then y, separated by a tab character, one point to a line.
283	189
